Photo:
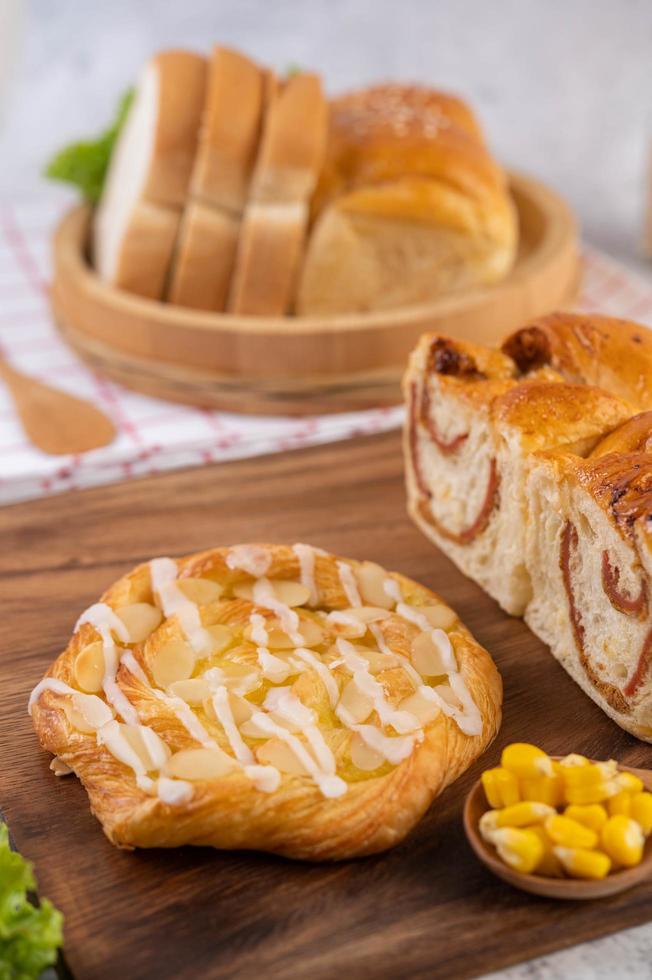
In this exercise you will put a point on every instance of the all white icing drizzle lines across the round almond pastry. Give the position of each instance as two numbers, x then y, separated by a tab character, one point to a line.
315	757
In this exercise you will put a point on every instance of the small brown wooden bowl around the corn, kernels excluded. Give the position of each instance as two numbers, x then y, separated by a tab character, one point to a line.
565	888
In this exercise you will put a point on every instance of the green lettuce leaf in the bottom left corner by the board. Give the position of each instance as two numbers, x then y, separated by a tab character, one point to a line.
29	935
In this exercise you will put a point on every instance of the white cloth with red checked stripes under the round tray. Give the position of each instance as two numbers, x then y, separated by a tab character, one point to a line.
152	435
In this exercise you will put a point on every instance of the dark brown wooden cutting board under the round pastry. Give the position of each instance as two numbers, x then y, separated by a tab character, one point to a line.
425	909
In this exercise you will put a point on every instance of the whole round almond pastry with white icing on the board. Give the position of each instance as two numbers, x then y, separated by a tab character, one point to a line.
267	697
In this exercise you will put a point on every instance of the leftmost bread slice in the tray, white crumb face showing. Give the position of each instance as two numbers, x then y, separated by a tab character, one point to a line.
138	215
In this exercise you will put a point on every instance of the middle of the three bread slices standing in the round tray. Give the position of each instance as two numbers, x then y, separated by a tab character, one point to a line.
228	140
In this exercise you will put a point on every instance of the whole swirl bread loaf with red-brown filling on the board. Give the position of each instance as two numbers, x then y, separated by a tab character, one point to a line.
530	467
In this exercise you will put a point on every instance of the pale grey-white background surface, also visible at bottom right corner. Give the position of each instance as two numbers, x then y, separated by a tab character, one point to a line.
563	87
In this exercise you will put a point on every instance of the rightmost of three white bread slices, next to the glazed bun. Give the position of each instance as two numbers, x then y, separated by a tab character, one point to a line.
276	218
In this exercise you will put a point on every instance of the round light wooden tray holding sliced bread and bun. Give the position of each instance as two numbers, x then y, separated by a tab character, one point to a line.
301	365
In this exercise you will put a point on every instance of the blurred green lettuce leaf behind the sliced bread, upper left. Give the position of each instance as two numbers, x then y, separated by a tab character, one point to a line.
84	164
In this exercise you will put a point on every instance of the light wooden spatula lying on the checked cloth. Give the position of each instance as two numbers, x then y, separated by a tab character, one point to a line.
54	421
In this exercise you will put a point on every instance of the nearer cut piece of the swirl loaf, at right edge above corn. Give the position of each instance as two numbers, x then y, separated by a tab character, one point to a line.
590	555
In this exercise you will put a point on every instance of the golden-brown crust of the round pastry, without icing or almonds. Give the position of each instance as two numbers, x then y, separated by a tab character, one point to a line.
295	820
